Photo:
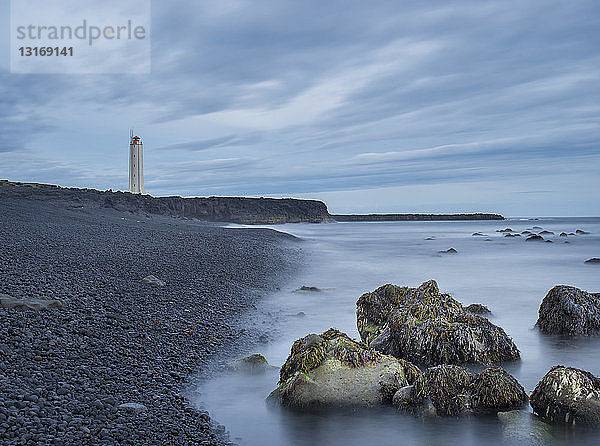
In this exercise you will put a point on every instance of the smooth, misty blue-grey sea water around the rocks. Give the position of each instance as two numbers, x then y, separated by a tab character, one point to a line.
344	260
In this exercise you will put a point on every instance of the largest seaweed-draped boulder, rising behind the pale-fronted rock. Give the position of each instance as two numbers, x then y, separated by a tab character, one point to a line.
425	326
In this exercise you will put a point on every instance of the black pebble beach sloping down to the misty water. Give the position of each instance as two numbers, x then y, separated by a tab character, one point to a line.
65	371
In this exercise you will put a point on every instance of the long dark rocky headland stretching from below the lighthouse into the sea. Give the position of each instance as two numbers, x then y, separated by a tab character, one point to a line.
217	209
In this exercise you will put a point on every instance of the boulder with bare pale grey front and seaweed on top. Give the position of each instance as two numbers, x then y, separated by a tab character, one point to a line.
332	370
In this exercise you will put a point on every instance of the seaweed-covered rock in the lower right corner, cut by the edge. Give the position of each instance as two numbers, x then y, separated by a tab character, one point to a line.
567	395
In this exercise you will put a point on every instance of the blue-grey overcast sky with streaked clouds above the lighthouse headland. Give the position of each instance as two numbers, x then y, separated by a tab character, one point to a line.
376	106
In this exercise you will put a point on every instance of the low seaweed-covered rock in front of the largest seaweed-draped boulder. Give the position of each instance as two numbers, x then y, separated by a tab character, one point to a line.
453	390
